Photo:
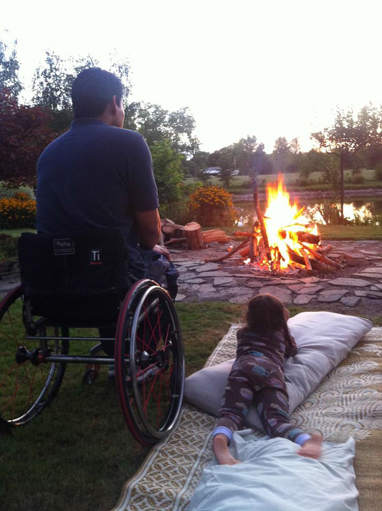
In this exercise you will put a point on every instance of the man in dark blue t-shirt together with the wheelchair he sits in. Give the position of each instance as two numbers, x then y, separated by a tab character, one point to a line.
94	266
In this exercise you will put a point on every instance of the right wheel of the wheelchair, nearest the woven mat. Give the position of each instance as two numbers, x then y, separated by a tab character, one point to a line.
149	362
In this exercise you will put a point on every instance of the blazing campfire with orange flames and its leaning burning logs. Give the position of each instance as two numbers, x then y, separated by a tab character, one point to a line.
282	238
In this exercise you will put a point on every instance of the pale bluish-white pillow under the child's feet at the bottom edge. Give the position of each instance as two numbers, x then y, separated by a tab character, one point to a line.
273	477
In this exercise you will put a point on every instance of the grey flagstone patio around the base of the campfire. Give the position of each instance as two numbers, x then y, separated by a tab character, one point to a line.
360	280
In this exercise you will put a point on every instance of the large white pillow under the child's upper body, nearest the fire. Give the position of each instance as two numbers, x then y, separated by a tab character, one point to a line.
323	340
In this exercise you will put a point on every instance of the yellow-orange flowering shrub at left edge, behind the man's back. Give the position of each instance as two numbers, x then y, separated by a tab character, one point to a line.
17	212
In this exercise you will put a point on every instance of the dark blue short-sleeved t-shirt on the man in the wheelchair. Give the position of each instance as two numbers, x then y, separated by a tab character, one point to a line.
95	176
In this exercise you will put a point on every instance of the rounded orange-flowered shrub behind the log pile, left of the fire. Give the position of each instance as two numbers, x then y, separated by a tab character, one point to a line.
212	205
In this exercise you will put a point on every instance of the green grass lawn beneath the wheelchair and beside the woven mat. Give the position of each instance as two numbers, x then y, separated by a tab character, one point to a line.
78	453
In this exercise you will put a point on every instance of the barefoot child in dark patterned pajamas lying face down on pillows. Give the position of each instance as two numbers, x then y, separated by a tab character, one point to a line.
257	377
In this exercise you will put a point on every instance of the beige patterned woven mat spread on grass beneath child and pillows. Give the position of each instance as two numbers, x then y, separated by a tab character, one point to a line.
347	403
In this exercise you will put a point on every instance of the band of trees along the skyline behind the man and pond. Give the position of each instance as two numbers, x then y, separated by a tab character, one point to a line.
353	141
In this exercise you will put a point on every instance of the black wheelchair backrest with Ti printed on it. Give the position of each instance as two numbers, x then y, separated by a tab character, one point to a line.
68	264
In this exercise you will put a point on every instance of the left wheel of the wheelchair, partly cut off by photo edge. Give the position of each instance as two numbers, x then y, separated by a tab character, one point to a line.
27	384
